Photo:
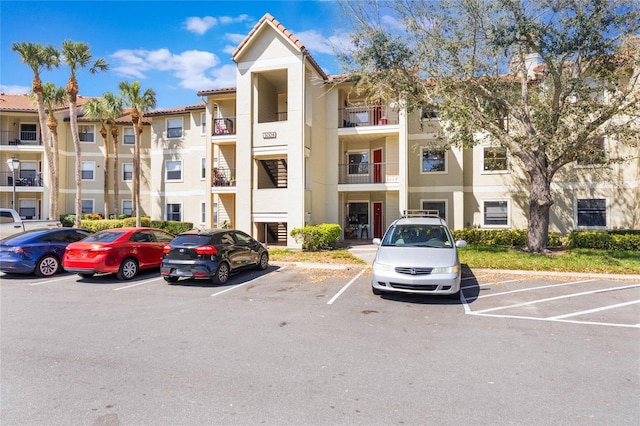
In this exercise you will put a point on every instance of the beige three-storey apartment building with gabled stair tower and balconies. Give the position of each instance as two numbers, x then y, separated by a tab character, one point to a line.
291	146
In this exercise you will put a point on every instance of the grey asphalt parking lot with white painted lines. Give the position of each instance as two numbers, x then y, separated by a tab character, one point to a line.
300	345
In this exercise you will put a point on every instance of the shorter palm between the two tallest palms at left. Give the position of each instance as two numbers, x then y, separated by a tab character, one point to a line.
53	96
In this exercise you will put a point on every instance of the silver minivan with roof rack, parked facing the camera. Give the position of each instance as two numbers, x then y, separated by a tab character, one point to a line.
417	255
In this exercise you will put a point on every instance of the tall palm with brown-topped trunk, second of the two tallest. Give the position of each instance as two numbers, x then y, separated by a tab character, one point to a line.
77	55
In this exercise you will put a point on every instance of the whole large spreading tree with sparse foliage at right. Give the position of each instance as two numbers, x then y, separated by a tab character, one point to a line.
478	61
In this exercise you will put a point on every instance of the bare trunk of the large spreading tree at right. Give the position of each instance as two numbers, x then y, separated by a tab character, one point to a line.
540	202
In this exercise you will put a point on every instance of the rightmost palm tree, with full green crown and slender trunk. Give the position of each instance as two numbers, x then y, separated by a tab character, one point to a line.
139	103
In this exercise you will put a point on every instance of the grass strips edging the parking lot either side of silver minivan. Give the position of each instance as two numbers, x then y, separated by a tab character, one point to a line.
495	257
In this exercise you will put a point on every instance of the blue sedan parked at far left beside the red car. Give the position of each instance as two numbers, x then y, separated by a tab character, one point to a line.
38	251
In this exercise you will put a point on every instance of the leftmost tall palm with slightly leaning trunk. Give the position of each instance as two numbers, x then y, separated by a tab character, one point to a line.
39	58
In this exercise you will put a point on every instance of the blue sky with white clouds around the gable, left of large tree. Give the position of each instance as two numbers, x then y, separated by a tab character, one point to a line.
174	47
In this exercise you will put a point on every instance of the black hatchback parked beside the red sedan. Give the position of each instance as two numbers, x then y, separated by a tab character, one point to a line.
211	255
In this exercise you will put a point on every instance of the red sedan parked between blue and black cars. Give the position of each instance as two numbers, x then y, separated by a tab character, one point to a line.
122	251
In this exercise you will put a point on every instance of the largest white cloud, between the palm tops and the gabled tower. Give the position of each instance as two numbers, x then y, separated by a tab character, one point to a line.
189	67
